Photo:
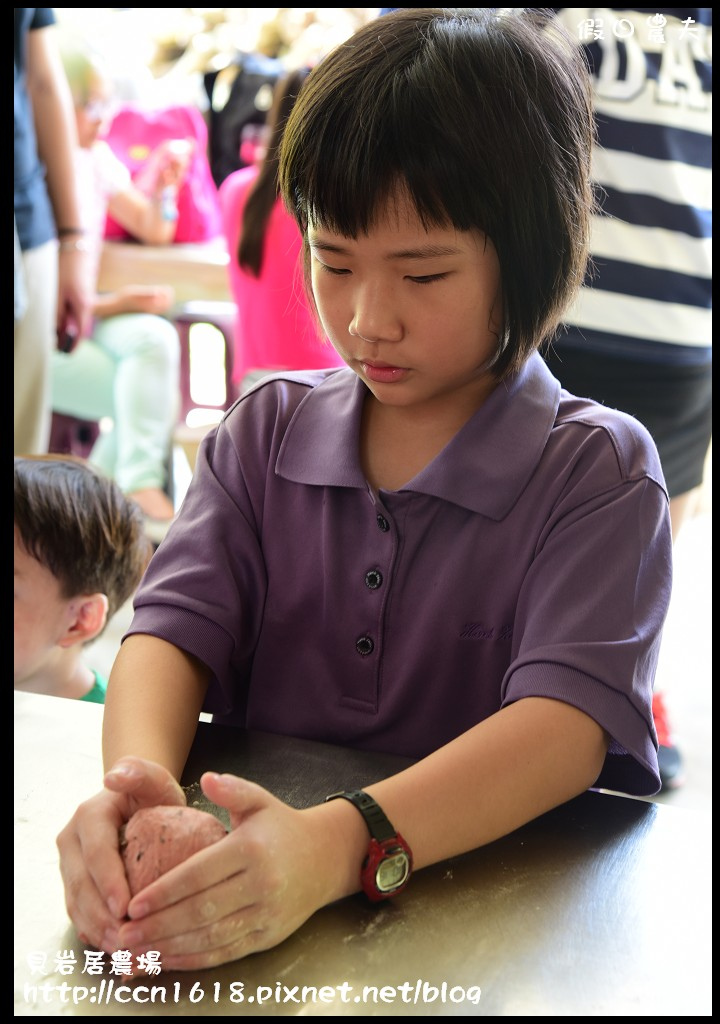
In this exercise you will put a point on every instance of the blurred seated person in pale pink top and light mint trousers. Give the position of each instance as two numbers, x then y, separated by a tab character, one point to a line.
128	368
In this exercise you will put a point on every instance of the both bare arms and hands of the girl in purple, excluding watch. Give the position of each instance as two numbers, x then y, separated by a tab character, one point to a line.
277	868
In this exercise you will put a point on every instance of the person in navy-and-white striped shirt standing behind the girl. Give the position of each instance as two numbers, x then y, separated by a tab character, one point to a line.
639	337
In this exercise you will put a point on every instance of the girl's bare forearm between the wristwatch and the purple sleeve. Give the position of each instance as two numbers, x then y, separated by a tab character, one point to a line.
527	759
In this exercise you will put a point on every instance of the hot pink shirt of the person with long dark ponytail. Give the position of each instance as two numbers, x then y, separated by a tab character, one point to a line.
276	328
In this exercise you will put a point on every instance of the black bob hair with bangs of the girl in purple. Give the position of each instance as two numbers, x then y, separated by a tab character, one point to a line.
484	120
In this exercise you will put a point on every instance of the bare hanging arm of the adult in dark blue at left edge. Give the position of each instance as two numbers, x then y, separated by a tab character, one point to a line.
57	137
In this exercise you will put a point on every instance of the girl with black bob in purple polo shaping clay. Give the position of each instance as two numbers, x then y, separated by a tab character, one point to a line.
434	551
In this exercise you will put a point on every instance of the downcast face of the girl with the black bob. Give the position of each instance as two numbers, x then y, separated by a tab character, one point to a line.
416	313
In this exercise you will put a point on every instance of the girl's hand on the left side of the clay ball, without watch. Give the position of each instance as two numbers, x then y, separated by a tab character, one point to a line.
97	890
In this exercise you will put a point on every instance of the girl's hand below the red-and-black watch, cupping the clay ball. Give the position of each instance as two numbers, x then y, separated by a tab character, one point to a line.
243	894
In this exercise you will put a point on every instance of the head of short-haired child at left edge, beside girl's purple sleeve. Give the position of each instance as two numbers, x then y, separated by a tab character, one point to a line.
80	551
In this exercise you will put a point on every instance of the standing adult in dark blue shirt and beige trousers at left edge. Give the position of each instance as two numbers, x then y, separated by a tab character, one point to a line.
53	278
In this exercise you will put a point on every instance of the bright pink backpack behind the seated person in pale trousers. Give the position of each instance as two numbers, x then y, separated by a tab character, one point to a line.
136	134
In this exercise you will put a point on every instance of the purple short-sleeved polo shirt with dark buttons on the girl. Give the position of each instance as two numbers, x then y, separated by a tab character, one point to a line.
531	559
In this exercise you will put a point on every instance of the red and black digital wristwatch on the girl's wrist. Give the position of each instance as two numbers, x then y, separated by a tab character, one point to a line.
388	867
